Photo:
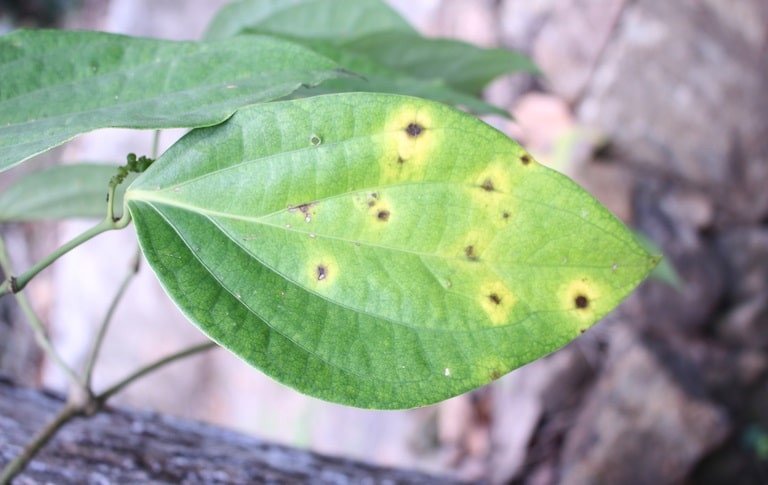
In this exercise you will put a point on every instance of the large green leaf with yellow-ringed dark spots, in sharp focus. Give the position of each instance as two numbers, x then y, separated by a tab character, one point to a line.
378	250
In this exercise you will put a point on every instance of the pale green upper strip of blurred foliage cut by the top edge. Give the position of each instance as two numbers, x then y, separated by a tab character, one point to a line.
315	19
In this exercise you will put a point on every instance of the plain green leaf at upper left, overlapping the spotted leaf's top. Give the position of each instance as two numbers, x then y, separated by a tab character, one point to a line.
55	85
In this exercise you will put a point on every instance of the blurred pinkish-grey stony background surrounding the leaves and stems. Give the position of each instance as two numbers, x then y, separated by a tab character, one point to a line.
659	108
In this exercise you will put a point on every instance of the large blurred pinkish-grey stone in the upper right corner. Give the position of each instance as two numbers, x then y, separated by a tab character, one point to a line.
682	103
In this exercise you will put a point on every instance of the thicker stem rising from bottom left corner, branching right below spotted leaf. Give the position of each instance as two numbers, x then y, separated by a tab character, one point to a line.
88	407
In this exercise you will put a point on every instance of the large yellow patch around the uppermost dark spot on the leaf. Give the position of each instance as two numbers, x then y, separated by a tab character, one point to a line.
409	140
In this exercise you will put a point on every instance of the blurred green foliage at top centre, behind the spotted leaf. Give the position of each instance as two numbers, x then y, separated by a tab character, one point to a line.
389	54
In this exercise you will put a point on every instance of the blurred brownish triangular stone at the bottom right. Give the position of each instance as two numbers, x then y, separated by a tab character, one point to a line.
639	426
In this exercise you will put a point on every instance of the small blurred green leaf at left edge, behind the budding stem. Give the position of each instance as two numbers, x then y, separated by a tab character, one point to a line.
59	192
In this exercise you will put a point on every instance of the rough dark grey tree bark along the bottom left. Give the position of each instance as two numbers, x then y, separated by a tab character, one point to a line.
121	446
